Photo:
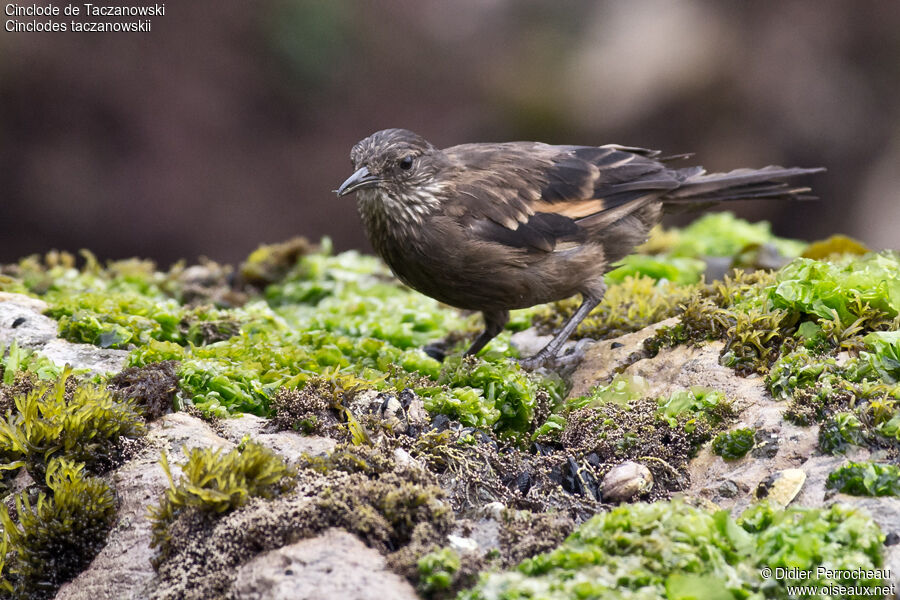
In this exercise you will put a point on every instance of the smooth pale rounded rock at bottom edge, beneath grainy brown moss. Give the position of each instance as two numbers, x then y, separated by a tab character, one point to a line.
333	565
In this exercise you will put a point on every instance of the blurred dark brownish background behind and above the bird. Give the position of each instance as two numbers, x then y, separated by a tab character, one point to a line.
229	124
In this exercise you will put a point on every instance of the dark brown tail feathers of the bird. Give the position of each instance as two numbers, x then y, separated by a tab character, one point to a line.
698	187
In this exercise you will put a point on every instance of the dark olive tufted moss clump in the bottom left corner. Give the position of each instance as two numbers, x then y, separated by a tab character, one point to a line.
55	538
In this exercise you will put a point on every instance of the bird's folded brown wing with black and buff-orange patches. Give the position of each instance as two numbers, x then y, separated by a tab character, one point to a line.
536	196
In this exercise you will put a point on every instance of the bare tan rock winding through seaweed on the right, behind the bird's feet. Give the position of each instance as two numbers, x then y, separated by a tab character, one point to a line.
786	447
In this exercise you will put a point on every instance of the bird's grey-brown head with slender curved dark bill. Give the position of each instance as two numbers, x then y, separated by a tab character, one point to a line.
396	162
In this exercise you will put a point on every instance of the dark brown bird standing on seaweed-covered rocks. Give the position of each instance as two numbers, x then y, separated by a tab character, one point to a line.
495	227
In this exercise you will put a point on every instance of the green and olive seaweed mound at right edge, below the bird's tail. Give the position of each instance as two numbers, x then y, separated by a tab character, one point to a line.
824	306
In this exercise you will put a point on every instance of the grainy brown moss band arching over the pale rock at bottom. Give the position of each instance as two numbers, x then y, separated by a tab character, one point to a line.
399	511
